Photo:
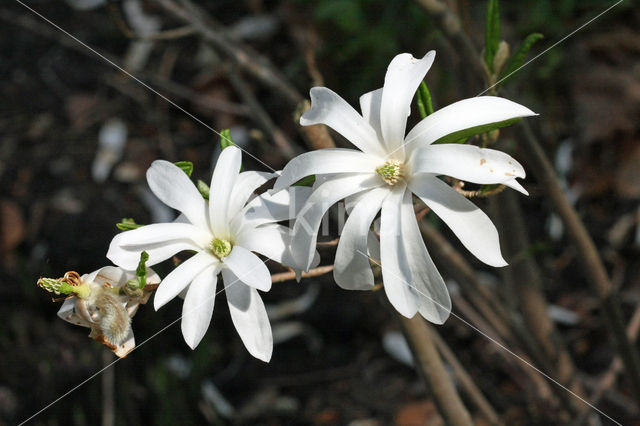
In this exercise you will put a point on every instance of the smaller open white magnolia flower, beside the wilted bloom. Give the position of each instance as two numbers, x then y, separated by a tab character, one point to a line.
223	233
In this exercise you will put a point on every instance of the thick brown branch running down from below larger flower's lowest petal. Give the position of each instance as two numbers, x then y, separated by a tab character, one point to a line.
429	363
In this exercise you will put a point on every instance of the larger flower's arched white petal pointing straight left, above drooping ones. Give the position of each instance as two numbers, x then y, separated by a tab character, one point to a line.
322	161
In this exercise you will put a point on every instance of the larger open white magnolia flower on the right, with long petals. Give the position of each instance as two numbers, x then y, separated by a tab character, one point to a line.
383	174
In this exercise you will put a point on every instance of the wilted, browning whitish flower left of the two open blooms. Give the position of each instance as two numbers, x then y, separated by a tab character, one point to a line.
105	307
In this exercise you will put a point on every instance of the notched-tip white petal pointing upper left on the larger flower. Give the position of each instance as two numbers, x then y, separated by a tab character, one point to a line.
329	108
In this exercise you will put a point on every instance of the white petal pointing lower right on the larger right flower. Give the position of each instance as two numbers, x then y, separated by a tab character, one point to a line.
474	228
